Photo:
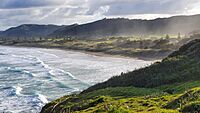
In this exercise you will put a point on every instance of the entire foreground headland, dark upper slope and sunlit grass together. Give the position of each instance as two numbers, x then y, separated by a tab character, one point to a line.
170	86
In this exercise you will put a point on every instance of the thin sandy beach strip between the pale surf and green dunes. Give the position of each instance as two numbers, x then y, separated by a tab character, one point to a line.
95	53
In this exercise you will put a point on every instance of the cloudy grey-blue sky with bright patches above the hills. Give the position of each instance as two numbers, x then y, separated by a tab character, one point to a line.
67	12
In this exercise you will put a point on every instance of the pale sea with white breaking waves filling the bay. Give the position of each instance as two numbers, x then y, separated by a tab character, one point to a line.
32	77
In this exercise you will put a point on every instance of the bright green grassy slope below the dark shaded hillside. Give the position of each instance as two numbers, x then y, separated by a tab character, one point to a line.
129	99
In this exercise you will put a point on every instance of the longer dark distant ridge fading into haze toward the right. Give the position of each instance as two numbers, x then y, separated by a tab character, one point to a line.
127	27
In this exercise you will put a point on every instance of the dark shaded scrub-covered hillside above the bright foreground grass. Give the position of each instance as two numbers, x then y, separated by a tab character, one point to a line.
180	66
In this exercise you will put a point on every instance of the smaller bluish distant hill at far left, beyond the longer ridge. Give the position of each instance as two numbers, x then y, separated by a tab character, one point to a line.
29	30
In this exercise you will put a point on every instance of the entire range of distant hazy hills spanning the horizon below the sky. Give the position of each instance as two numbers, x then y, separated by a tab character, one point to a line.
110	27
